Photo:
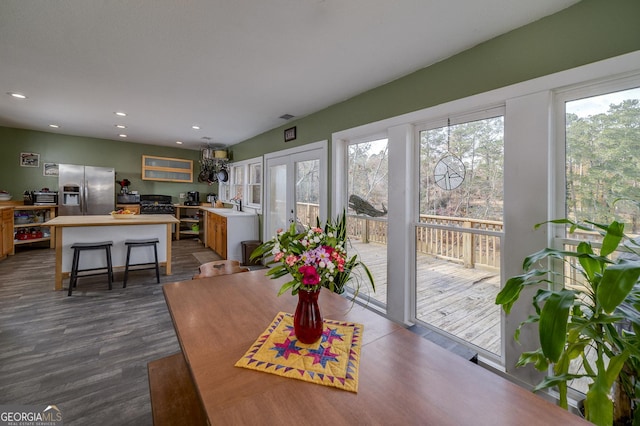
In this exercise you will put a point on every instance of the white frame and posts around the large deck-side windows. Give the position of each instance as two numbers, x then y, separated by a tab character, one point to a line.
530	188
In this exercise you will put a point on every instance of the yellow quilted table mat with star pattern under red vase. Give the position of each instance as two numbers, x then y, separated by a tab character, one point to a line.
332	361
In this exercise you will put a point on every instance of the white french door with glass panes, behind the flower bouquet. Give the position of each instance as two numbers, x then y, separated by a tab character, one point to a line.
296	187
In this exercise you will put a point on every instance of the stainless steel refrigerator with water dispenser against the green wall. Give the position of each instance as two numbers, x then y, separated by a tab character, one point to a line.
85	190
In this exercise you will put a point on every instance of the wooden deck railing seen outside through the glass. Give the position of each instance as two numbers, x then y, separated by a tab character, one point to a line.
471	242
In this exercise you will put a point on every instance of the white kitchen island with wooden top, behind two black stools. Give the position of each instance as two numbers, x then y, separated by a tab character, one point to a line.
95	228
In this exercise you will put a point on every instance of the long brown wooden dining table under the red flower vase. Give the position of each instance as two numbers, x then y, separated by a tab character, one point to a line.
404	379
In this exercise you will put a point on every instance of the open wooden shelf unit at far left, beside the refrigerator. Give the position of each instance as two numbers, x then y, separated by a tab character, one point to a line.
29	227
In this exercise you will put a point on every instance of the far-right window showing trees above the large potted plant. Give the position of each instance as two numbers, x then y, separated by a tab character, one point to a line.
603	158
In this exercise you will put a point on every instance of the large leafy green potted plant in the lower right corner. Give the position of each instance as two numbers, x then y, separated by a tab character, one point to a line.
583	319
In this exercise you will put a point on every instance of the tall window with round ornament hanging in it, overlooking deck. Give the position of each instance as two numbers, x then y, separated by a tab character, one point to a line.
459	230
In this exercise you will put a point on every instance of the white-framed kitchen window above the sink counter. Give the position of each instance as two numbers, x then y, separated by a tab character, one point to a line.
245	181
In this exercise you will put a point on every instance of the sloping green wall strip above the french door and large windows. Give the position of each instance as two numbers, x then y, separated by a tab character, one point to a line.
587	32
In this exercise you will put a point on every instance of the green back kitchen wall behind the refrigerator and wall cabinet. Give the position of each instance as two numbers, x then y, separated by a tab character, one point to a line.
125	157
